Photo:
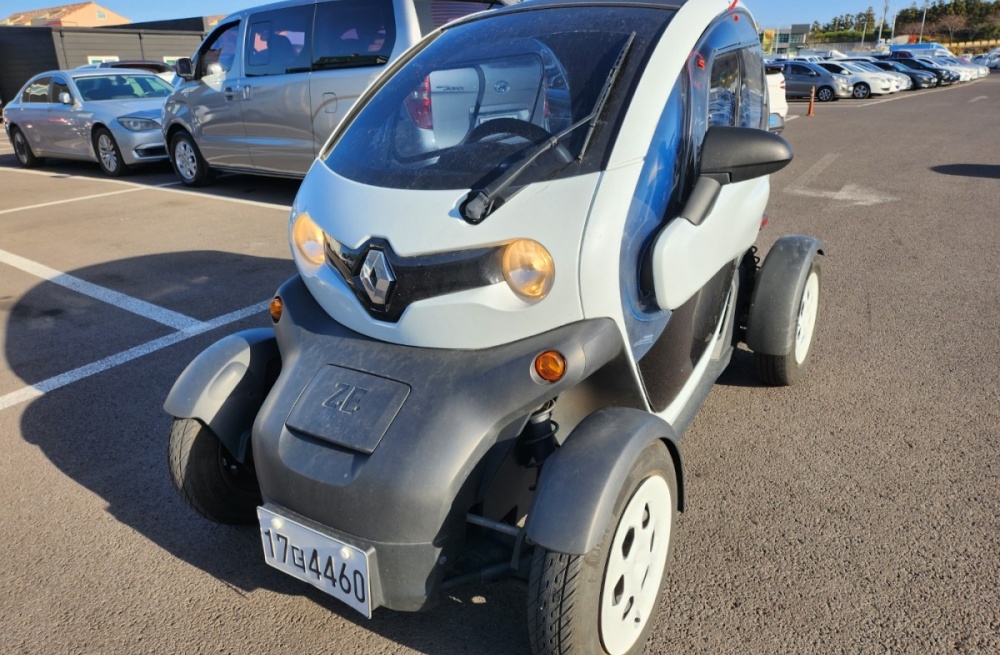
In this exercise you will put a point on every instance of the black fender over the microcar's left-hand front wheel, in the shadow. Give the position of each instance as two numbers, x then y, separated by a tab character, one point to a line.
225	386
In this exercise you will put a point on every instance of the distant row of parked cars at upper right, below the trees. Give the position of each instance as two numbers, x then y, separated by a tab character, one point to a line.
861	77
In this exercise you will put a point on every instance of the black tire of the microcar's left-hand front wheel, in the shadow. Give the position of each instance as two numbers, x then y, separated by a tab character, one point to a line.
208	478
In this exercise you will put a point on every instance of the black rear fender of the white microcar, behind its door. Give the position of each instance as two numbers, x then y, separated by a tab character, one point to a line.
774	305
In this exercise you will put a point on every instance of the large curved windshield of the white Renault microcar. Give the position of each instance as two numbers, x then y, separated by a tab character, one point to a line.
477	99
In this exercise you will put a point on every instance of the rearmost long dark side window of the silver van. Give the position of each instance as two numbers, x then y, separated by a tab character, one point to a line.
353	33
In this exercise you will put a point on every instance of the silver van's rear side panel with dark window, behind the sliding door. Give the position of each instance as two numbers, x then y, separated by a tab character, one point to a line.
353	42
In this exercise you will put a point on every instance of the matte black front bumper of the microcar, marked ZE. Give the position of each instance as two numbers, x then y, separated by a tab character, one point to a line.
382	445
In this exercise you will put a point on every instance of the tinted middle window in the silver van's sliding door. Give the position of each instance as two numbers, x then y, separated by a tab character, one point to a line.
278	41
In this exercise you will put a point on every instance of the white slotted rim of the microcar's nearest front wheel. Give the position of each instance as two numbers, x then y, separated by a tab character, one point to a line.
638	557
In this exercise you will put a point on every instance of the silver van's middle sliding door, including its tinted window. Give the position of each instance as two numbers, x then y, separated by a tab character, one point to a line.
277	116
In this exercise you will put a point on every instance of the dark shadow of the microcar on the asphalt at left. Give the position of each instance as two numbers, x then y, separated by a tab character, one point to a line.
108	433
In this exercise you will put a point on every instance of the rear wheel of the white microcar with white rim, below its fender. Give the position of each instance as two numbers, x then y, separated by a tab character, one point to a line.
787	369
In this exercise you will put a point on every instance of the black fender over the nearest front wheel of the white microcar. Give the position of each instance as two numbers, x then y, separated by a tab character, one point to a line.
580	482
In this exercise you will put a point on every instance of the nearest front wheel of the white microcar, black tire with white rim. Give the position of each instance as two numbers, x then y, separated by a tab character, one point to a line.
573	608
